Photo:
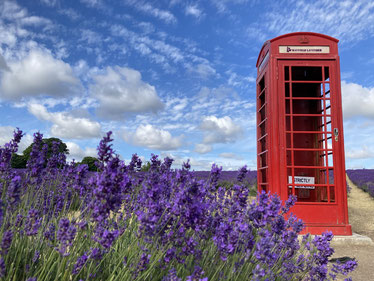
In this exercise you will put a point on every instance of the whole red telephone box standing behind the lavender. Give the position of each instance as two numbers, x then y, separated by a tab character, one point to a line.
300	146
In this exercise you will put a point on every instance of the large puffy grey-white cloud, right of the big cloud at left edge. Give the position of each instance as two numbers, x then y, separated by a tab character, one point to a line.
121	91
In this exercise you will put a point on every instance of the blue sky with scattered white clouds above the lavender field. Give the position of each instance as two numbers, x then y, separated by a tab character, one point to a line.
172	78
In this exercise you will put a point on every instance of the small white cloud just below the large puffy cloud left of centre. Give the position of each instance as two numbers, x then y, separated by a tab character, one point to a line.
153	138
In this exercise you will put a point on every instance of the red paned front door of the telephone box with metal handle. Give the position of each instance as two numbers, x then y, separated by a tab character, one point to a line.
310	139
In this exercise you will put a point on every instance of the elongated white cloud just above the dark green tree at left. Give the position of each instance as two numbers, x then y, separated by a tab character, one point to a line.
65	125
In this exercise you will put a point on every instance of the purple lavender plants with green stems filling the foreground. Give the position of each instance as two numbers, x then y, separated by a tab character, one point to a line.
59	222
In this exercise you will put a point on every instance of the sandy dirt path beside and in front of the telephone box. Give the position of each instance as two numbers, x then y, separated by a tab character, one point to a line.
361	217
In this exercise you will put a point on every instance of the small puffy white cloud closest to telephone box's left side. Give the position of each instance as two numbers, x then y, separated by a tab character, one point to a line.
220	130
